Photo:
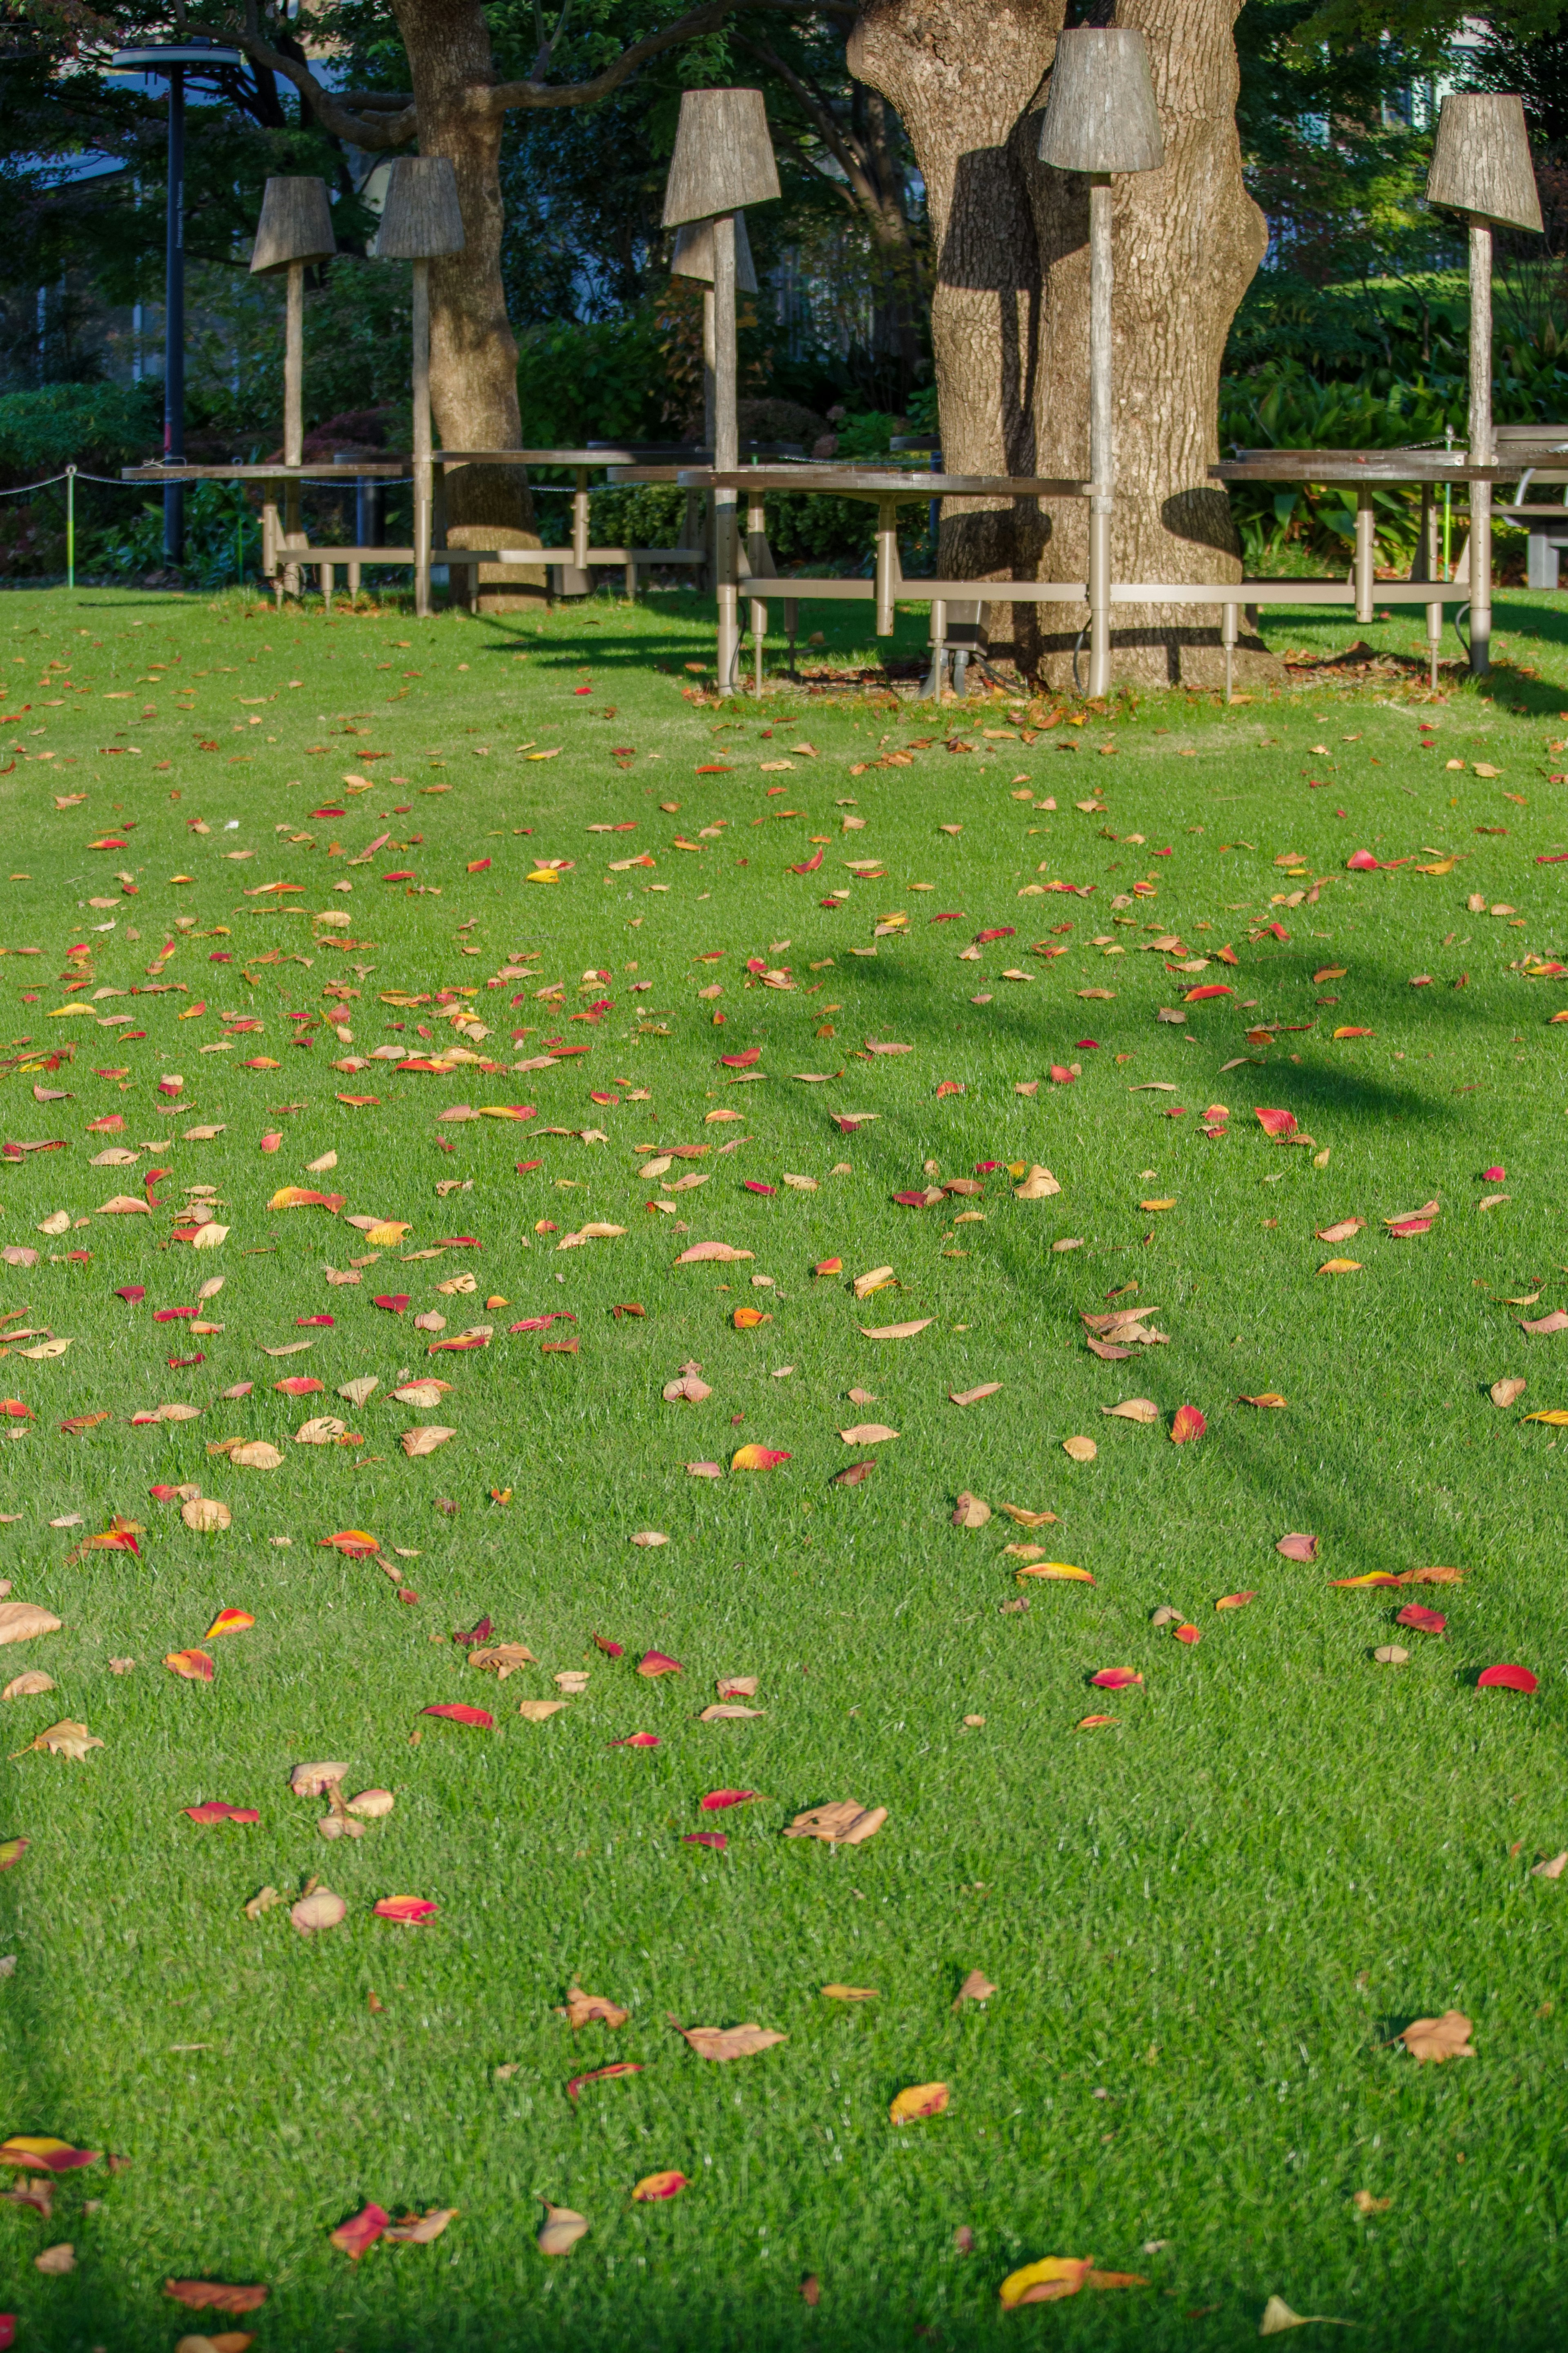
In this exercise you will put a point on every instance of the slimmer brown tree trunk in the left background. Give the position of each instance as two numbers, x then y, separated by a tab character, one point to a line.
474	354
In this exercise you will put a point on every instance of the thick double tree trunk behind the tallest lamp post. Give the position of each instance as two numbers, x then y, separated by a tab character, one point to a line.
1010	312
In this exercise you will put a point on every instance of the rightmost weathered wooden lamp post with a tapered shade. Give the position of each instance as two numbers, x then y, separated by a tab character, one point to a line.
1482	168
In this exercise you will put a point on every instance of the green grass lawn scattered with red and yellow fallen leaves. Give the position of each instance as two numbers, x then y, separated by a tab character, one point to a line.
1205	1921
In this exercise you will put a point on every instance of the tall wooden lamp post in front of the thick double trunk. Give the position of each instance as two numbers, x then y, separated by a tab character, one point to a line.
1101	119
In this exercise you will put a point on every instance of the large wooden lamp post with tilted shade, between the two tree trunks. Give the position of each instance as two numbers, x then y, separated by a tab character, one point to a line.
723	161
